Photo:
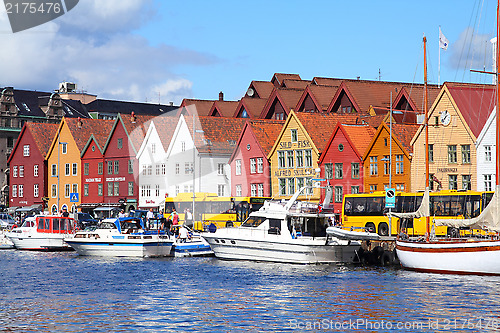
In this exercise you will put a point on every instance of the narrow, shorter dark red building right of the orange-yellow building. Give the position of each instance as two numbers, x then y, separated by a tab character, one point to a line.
92	194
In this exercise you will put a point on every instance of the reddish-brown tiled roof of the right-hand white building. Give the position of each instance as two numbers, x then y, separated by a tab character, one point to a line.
218	134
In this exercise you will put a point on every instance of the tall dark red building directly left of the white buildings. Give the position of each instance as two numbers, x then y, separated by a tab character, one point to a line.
121	167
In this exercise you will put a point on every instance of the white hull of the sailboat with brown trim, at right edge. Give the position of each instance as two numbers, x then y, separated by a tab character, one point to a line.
459	257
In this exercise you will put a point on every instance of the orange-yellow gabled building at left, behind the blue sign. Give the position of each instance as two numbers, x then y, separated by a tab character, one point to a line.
64	163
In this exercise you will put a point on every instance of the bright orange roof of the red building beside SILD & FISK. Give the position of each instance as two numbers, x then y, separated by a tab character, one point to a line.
359	137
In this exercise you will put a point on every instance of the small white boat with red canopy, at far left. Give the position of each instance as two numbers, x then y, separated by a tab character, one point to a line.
43	233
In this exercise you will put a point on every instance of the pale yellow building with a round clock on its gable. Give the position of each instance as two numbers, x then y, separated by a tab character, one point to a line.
456	119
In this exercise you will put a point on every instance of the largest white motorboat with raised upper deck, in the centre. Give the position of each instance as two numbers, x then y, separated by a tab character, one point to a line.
291	232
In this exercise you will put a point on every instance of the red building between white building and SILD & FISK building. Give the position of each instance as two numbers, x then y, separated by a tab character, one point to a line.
250	172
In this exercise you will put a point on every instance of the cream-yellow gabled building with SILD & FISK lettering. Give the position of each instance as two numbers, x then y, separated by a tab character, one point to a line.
295	154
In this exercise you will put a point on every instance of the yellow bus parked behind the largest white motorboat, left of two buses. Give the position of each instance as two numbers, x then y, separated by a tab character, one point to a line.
210	208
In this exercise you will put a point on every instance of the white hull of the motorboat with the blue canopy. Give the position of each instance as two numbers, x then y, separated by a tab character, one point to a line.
121	248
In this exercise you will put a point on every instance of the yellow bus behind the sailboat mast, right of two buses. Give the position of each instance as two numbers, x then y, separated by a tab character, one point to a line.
368	210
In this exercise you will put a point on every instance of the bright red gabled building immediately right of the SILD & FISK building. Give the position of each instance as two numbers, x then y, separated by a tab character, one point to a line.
341	163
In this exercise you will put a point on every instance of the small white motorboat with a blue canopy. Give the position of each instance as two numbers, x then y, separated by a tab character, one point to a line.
121	237
